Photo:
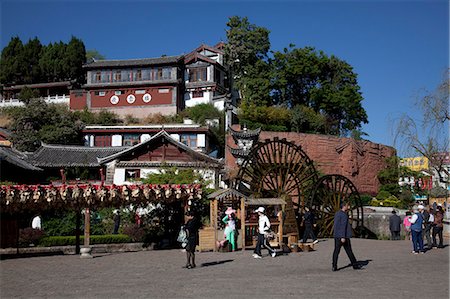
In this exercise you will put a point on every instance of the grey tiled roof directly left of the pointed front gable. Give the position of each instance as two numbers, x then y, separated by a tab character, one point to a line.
70	156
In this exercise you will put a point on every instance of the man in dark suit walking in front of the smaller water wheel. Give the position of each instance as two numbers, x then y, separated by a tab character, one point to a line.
342	235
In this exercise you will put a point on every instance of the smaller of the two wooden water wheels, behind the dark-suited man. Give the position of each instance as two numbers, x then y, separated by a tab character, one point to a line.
325	201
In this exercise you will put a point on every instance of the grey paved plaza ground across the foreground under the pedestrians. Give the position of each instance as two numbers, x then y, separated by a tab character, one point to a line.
392	272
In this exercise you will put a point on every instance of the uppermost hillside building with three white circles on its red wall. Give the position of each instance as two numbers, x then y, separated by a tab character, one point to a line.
165	85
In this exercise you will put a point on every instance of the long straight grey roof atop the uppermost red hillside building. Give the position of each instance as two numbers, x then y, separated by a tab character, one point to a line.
133	62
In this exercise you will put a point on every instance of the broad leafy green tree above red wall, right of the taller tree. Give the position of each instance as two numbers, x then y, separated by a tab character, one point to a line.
328	85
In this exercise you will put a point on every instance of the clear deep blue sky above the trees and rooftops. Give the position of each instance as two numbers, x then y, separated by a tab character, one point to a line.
398	49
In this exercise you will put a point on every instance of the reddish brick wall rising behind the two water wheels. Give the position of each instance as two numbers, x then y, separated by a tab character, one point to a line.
360	161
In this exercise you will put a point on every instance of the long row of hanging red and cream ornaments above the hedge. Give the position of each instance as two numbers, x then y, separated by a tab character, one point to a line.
42	197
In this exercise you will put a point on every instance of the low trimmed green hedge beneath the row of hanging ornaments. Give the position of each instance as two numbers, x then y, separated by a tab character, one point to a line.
95	239
